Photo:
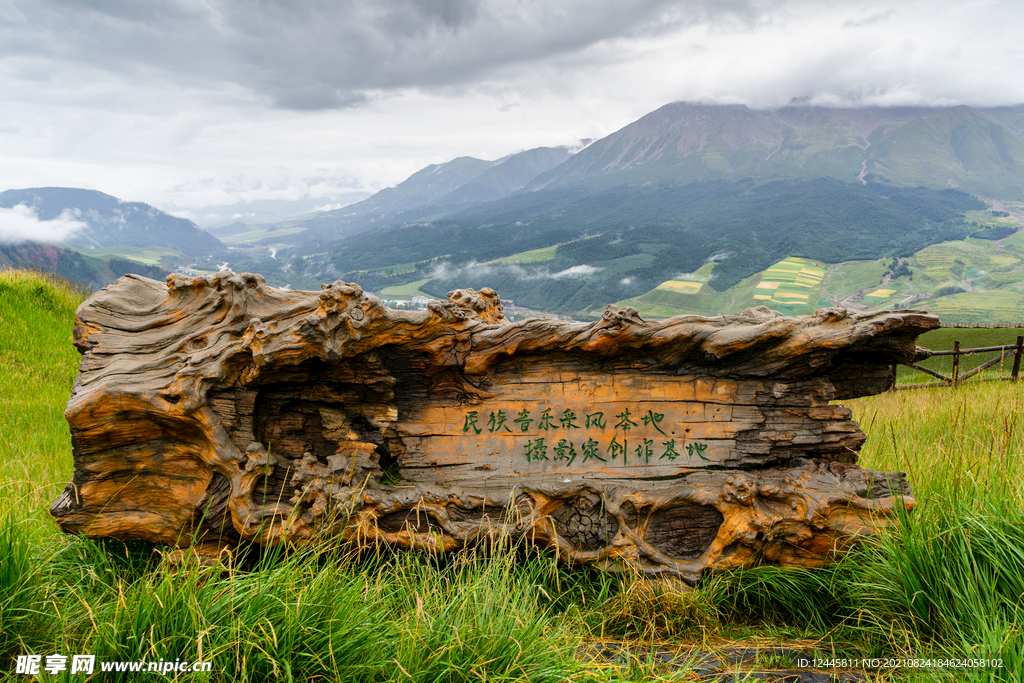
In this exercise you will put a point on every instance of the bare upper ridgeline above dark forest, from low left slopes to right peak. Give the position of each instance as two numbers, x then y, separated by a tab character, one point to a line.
978	150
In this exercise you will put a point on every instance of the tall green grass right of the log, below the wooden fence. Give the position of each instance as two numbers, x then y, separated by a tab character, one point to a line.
953	576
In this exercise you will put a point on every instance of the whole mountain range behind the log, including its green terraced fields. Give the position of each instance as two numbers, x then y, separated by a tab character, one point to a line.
677	210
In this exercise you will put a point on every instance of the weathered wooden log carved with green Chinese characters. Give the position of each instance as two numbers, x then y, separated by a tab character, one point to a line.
212	411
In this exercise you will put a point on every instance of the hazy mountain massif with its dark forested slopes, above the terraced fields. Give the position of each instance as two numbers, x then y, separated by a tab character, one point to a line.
686	188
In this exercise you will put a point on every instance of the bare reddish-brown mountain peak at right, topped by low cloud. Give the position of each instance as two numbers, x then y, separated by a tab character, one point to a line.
978	150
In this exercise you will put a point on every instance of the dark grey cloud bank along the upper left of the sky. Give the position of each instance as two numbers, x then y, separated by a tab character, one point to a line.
329	54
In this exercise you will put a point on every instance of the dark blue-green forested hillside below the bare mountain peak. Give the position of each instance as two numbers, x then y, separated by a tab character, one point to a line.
625	242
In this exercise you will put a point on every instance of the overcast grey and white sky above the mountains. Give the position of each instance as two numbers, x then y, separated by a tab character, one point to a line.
186	104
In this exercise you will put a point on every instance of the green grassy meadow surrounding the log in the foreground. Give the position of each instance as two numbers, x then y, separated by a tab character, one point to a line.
947	583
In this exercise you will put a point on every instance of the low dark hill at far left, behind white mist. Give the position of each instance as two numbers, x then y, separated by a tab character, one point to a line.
111	222
